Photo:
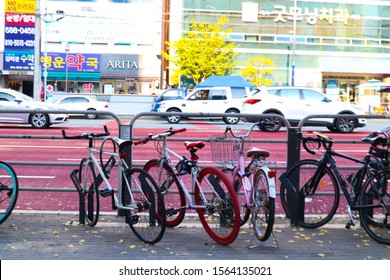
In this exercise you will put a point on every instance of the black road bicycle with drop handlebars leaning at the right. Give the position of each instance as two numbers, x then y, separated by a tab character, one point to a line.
319	183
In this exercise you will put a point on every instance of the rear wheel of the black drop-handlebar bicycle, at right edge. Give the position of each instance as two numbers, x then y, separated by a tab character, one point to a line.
374	199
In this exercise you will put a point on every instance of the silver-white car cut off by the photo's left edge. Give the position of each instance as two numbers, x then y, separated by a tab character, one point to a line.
14	100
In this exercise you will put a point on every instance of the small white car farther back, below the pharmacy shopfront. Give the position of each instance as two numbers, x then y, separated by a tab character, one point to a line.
82	103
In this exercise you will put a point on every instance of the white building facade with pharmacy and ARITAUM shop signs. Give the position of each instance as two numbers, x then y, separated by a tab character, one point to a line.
84	46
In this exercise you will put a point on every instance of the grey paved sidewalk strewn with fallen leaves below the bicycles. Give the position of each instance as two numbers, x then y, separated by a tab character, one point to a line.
45	236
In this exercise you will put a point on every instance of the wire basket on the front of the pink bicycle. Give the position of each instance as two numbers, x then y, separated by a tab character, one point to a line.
226	150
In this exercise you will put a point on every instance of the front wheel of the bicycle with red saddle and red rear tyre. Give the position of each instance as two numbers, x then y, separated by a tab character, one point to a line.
174	199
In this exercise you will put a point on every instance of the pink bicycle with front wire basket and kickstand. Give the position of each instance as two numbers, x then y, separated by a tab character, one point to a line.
254	184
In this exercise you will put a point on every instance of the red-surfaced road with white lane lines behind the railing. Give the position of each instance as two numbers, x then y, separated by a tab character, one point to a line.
62	156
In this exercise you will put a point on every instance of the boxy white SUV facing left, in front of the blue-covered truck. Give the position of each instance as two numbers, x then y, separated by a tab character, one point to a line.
207	100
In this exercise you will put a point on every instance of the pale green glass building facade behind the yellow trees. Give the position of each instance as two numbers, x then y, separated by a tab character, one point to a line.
334	45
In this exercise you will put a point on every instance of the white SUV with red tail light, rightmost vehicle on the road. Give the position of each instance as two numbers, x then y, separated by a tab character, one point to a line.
295	103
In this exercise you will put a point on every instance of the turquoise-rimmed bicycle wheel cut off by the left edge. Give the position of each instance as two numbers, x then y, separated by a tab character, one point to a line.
9	189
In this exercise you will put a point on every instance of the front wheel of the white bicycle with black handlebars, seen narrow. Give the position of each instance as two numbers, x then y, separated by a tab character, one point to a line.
87	180
